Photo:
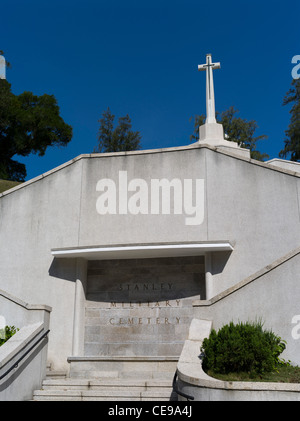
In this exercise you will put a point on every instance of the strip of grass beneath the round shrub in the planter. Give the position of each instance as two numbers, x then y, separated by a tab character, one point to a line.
285	373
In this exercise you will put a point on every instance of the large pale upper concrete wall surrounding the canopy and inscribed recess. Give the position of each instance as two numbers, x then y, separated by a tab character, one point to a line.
254	207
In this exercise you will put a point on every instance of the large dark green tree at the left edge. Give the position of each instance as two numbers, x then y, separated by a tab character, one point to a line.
28	124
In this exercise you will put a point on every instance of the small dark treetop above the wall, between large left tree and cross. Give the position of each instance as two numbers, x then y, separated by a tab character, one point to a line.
118	139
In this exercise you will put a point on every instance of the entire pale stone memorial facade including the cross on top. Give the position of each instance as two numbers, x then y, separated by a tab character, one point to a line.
127	248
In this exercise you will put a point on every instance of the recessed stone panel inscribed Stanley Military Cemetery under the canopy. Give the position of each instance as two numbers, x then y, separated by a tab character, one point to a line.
141	306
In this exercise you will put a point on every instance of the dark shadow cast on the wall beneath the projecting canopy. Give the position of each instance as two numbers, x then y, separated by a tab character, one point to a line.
142	279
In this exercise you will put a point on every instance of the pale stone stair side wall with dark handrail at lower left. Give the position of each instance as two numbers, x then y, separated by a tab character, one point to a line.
23	357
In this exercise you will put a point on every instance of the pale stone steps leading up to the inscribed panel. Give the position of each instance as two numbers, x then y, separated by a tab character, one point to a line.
116	379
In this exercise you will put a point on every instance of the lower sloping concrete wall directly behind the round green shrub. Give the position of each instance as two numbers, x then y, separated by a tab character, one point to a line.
270	296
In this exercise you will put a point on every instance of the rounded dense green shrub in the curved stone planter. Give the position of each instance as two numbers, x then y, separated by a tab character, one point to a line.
244	347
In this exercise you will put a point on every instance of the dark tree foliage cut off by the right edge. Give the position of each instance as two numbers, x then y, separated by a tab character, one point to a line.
292	141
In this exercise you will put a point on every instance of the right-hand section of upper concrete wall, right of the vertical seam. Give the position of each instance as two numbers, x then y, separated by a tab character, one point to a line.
255	208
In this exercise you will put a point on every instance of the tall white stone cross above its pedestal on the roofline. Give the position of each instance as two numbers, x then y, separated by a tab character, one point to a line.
210	95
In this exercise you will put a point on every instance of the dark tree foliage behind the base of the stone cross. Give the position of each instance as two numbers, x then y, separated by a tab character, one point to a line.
236	129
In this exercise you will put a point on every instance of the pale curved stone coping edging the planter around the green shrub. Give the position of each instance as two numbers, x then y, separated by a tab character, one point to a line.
189	368
